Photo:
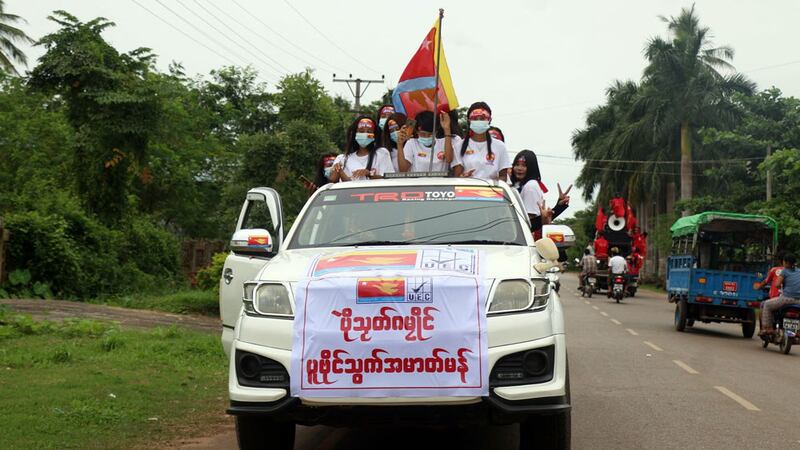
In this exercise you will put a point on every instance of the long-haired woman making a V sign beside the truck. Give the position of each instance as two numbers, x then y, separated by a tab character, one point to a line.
527	179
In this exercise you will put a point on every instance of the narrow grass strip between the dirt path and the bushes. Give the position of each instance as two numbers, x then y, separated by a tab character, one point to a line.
190	301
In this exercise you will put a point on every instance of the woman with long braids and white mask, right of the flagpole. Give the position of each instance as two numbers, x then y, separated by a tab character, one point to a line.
480	156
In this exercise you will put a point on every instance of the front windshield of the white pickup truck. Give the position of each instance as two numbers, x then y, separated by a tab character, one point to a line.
409	215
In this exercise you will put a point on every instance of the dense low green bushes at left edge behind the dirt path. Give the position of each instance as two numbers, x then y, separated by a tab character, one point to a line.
80	257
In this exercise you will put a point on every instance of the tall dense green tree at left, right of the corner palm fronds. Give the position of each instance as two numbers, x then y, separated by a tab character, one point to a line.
110	104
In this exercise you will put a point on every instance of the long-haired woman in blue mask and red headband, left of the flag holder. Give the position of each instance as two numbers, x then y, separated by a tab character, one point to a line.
361	160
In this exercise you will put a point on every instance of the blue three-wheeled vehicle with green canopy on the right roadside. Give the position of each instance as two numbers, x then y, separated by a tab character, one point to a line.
716	258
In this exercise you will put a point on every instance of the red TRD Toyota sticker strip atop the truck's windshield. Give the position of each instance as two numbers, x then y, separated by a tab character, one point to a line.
428	193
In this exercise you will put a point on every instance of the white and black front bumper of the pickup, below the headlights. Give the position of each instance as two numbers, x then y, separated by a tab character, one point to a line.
505	404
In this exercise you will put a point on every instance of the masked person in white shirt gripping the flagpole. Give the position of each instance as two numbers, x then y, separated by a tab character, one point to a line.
414	154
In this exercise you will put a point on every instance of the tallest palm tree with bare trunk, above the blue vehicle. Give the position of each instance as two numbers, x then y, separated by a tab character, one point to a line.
684	89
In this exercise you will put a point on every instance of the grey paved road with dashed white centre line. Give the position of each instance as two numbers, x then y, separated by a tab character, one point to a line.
636	384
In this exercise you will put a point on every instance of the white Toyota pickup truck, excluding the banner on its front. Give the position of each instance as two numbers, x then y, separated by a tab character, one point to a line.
528	376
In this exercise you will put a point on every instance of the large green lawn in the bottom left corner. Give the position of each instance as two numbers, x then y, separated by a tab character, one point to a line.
88	384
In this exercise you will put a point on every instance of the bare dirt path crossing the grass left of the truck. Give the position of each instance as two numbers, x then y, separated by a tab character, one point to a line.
134	318
